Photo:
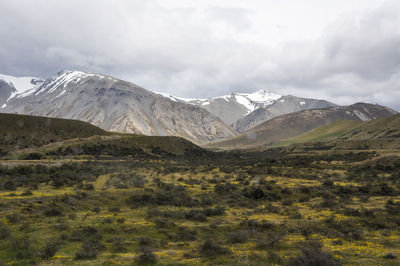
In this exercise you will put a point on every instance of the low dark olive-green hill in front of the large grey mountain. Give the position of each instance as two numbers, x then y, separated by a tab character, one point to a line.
57	136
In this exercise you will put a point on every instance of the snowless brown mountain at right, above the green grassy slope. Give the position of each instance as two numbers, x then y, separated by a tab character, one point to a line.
295	124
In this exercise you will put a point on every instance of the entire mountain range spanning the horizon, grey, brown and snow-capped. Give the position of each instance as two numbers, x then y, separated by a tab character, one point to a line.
116	105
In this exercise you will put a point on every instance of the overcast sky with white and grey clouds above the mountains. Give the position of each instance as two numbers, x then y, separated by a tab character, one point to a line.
343	50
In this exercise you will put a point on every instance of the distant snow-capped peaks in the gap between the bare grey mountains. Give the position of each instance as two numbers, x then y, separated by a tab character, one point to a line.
230	108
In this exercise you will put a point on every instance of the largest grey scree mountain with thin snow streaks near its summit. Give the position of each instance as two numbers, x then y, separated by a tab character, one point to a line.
117	105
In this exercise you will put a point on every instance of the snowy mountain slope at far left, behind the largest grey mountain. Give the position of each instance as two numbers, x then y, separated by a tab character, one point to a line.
10	86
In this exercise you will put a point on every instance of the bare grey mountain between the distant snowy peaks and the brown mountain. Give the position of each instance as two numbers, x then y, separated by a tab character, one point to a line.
284	105
